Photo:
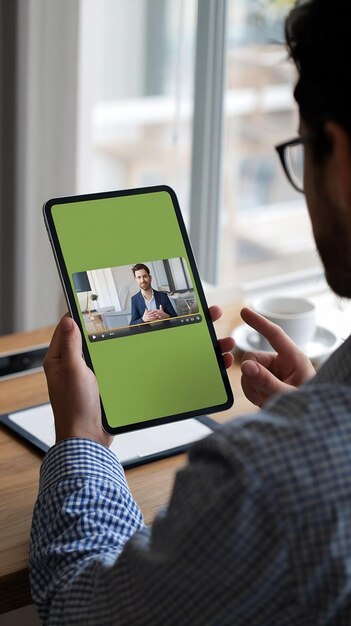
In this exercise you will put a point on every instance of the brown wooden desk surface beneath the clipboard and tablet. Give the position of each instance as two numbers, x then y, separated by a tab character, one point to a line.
19	471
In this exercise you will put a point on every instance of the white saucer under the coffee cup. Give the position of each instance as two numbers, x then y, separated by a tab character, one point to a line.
324	342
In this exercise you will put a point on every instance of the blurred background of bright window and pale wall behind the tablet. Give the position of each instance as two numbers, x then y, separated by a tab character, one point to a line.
108	94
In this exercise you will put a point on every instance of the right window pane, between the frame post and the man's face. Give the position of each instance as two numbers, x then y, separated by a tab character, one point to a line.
265	229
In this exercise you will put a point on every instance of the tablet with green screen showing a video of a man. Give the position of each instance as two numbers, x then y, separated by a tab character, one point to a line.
132	286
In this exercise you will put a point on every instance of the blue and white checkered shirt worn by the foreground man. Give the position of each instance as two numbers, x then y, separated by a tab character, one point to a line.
257	531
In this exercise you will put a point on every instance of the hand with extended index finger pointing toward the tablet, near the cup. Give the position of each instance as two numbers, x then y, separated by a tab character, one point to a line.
265	374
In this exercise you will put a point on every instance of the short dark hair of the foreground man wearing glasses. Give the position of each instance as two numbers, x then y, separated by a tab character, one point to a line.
318	34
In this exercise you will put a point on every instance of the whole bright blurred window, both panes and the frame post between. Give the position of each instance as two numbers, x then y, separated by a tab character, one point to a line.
138	77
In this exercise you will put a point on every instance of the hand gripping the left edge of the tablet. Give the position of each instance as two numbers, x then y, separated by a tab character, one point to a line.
73	388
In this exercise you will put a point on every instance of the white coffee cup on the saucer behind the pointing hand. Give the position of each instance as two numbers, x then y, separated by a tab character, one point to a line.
296	316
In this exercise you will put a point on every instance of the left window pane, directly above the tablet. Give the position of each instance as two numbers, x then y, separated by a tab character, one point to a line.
137	66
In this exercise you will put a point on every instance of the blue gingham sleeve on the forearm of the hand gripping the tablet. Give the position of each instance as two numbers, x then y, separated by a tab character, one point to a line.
83	516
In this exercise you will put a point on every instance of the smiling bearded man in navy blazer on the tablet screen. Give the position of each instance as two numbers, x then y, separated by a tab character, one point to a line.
148	305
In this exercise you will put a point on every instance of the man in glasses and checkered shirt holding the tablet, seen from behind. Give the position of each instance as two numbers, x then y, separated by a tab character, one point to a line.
257	530
